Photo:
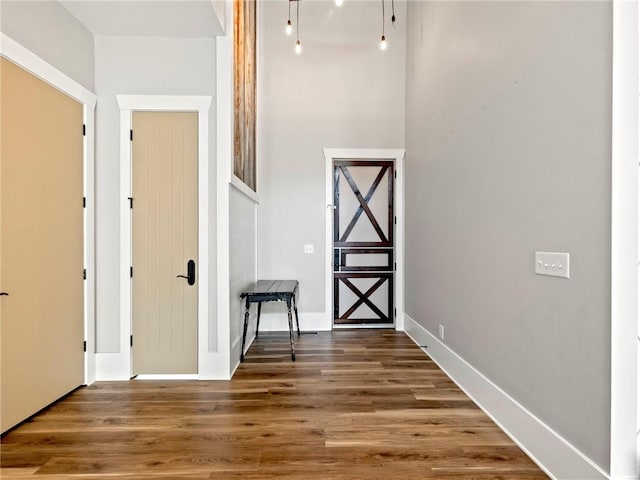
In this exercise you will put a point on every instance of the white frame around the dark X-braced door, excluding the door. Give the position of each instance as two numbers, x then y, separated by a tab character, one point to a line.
397	155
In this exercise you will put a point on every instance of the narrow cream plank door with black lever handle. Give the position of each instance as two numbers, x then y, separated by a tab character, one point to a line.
165	240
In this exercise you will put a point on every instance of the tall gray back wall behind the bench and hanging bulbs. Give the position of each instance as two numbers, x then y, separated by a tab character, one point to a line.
342	92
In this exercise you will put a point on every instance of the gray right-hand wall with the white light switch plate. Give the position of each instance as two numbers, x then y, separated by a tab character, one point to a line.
508	153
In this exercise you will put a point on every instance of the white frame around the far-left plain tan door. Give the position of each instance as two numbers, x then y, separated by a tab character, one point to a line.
23	57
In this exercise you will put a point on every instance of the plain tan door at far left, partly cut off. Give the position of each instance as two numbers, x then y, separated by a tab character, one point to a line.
41	319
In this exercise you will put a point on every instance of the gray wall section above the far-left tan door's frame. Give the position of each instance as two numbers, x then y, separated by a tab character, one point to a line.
52	33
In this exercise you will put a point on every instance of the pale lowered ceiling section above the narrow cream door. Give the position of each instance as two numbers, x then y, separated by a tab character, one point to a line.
149	18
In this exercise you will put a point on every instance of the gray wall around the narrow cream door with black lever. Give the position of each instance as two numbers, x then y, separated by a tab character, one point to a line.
140	66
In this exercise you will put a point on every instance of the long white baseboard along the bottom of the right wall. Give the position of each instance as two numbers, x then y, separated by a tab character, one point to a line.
555	455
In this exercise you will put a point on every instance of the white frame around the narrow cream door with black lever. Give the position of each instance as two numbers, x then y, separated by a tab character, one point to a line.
166	103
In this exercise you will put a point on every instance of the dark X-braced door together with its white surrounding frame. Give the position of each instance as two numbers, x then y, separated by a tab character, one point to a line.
364	191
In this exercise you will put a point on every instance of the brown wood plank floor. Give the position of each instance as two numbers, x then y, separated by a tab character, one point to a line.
365	404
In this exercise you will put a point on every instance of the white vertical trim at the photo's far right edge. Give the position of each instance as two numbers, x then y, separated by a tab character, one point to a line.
624	240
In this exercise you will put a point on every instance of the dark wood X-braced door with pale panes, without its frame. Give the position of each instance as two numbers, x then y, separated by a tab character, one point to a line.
363	242
